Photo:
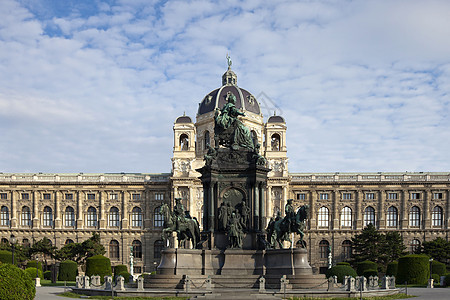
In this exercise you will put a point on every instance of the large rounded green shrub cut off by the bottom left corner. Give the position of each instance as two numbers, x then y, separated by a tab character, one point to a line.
15	284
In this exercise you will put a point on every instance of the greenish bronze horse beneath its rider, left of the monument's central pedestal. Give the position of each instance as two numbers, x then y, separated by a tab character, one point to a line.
186	229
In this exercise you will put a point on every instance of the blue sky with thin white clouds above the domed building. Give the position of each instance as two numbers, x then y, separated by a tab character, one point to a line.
95	86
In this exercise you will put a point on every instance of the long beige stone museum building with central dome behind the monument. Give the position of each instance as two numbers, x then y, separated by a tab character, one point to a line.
124	207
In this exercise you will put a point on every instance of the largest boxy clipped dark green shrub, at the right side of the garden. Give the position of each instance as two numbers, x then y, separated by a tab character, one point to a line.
413	268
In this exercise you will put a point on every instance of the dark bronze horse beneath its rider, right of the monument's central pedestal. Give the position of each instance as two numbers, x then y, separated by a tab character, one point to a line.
280	229
